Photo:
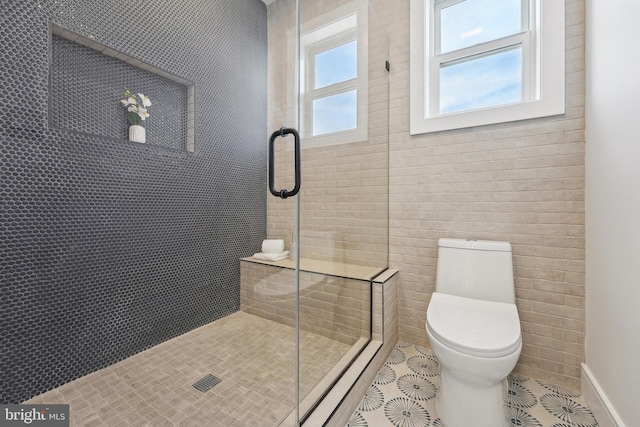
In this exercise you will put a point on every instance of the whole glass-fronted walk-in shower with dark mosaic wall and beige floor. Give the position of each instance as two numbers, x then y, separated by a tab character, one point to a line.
123	292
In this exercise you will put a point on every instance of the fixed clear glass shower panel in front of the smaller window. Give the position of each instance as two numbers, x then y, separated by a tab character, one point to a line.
343	202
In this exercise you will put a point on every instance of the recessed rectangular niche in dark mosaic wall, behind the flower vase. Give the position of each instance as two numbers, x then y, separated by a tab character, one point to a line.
87	80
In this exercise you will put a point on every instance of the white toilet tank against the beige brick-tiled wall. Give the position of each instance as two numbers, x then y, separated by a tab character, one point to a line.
479	269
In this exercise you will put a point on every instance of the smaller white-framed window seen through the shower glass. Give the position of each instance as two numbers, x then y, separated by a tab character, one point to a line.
333	79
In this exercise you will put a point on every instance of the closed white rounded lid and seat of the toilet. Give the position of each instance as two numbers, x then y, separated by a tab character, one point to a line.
475	327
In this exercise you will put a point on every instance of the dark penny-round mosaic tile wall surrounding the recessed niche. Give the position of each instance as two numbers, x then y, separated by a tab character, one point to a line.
109	247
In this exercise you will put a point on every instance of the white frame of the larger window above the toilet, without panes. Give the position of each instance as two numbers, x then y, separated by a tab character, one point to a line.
543	68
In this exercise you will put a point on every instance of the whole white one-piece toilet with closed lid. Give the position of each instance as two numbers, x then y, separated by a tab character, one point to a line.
474	330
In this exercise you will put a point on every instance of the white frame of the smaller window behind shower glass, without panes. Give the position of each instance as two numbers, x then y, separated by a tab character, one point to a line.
341	26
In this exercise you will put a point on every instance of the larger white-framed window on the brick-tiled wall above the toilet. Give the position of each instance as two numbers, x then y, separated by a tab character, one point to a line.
477	62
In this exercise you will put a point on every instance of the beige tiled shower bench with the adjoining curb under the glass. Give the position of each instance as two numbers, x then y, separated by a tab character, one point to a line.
335	303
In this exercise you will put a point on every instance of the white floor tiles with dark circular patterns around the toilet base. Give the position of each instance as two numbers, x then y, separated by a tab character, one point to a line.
403	394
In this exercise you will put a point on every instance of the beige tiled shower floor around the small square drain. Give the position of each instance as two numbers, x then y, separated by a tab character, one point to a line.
254	358
